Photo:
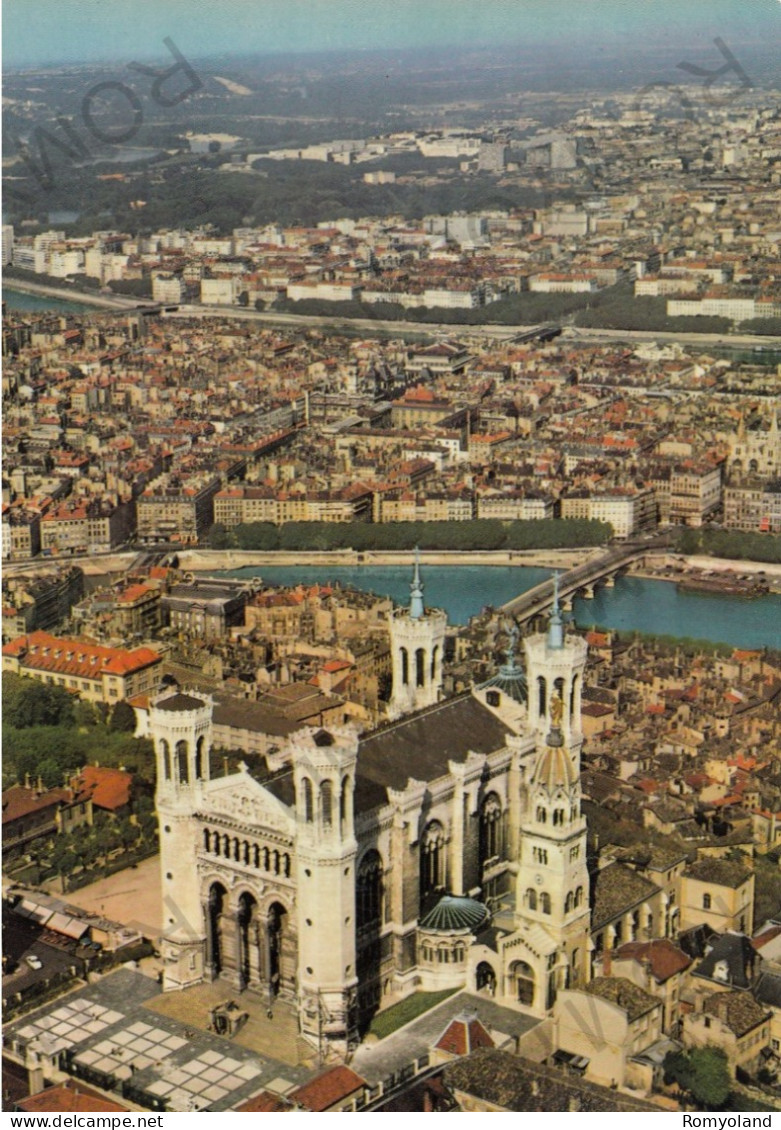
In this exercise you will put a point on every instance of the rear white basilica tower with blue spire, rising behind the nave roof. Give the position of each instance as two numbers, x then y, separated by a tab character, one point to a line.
418	647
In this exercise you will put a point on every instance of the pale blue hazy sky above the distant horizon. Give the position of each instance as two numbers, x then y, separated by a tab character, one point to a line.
49	32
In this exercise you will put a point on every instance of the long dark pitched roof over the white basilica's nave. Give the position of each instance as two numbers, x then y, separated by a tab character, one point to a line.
422	745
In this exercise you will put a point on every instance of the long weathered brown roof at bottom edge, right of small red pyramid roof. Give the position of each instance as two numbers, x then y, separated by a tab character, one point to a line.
517	1084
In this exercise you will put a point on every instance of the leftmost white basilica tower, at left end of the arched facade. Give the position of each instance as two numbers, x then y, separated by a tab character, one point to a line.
181	733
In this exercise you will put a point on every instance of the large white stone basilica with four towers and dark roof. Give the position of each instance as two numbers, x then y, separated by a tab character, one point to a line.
446	849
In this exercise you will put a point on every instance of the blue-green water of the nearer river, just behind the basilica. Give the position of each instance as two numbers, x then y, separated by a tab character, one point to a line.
635	605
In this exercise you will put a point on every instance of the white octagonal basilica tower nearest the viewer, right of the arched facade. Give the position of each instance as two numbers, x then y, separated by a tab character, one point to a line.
324	763
